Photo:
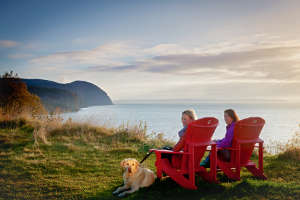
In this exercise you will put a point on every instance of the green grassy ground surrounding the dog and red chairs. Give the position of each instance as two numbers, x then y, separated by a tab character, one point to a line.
79	161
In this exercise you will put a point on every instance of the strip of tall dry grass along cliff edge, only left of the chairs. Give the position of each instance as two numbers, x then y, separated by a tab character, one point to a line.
48	128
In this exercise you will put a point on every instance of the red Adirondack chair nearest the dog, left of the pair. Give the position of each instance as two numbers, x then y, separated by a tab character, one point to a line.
198	138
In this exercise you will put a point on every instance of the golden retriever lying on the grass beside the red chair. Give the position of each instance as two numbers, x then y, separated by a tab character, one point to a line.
134	176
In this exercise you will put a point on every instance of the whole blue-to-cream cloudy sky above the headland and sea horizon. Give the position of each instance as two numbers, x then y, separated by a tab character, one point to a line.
223	51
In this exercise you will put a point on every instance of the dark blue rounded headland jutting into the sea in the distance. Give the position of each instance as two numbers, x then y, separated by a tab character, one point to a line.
69	96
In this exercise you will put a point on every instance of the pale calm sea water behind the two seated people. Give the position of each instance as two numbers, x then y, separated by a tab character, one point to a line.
282	120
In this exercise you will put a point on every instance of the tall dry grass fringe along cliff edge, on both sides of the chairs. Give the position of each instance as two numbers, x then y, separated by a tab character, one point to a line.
47	126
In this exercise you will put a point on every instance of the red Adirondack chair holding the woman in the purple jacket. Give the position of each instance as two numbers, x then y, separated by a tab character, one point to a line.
246	136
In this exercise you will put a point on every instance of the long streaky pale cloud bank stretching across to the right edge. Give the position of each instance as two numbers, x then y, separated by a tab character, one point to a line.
263	59
